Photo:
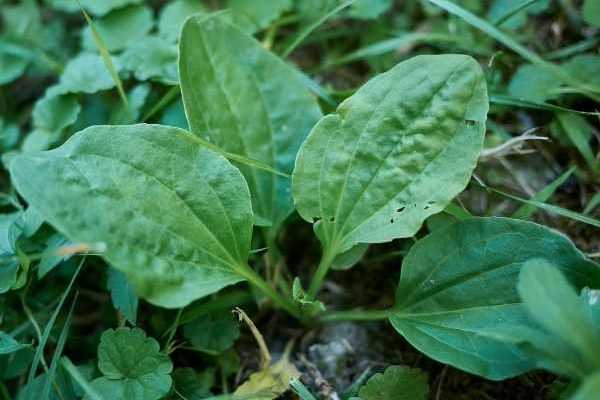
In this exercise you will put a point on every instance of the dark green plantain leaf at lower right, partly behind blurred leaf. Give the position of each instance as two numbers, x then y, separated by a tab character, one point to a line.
457	300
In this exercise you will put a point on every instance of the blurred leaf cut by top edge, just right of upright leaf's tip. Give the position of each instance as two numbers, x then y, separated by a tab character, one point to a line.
255	15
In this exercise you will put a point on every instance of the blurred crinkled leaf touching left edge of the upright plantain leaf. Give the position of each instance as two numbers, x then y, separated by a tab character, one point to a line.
152	58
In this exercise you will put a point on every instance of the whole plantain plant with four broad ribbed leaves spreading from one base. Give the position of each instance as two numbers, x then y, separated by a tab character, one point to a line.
176	210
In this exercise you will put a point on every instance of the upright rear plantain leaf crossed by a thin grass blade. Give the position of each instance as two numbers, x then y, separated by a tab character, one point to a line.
247	101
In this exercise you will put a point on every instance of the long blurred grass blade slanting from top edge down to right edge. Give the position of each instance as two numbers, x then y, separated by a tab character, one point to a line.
484	26
